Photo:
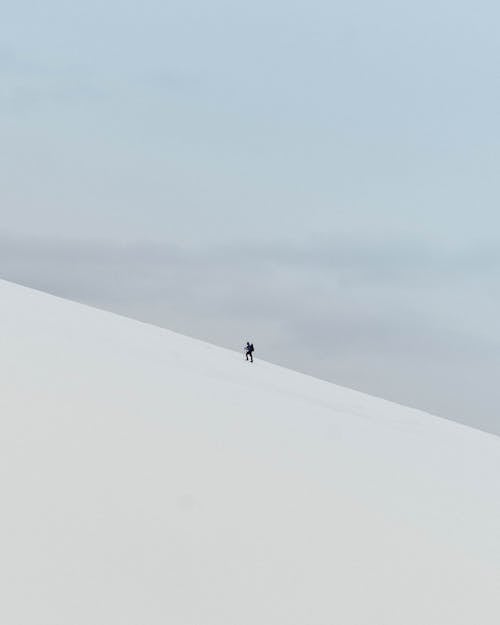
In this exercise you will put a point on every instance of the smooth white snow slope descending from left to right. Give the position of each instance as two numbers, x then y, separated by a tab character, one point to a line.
148	478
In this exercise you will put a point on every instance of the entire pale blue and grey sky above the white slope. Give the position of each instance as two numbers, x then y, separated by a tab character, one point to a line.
319	177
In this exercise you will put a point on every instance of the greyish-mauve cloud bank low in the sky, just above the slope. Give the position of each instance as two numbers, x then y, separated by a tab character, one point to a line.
401	320
